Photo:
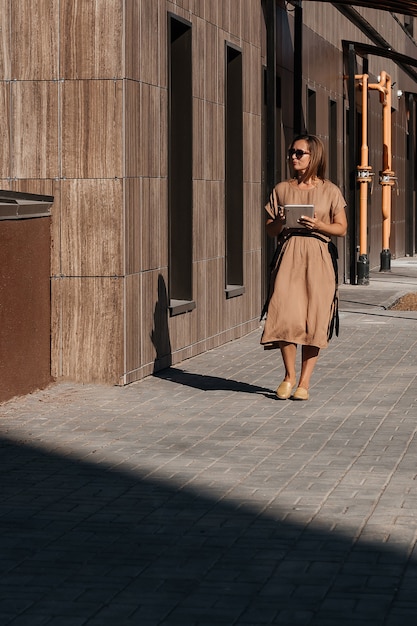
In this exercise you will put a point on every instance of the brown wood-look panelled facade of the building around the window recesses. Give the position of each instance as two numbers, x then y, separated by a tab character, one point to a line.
85	97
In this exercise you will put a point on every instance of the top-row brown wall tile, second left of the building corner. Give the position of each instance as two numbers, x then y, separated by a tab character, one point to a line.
34	39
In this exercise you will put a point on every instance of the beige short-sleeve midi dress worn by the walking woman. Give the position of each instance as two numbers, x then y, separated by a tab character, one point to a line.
303	288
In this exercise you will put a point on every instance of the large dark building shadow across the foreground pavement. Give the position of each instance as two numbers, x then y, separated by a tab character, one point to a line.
83	544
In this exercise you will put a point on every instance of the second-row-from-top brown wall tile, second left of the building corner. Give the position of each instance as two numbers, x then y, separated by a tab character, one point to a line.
34	137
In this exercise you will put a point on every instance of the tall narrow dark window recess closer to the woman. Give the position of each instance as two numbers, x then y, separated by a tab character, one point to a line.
234	173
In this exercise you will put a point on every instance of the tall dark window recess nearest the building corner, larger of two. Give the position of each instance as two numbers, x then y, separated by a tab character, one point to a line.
180	191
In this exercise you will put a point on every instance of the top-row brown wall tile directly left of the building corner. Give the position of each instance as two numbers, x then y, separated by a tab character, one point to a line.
91	39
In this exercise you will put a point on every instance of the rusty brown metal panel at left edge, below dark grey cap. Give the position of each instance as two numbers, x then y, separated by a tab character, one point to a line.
25	309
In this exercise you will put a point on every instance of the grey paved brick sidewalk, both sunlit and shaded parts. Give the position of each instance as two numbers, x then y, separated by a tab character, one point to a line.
197	498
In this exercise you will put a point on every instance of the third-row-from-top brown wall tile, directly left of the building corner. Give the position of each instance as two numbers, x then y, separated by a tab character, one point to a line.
91	227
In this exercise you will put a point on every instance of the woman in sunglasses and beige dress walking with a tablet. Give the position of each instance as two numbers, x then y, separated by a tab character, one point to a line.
303	297
